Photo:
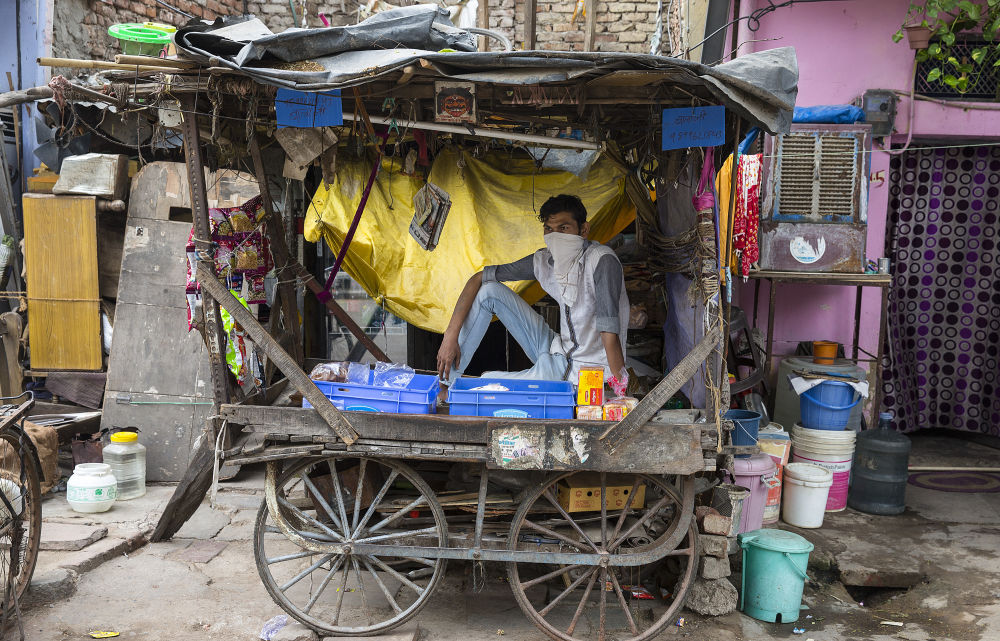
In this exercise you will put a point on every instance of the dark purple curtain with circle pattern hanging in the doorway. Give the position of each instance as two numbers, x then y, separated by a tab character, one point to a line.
942	359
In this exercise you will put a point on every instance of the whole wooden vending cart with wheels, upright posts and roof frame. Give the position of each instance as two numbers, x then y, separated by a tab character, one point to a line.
354	533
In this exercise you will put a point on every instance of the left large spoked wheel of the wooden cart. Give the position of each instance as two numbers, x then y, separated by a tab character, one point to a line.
305	558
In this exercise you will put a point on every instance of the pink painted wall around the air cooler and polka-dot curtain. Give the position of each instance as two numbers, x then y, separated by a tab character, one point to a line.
844	48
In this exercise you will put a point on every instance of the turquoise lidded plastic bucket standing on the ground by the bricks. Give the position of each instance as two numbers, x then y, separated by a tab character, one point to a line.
774	574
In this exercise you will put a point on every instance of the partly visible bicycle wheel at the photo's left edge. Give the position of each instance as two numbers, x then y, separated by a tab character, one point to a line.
20	532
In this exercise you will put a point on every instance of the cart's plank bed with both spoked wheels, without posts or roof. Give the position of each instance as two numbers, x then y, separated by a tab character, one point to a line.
352	540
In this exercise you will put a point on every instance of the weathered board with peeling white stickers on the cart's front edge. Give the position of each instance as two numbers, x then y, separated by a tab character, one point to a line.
656	448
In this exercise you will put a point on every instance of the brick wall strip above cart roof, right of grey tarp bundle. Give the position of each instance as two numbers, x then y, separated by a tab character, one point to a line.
620	26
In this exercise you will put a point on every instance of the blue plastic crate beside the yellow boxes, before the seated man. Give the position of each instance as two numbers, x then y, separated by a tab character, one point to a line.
526	398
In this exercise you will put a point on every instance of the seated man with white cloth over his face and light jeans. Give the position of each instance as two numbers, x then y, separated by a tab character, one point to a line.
584	278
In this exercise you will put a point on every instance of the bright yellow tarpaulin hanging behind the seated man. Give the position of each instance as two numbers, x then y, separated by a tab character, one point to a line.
492	221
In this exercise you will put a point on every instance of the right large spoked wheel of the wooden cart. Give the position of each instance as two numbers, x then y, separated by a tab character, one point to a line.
644	557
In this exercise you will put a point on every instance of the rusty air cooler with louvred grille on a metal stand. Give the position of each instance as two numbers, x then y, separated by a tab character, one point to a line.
815	214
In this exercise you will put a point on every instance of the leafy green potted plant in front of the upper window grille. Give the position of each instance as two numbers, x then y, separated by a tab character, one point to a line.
945	21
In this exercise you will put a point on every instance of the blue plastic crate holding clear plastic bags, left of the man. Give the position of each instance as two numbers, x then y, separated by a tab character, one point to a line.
418	397
